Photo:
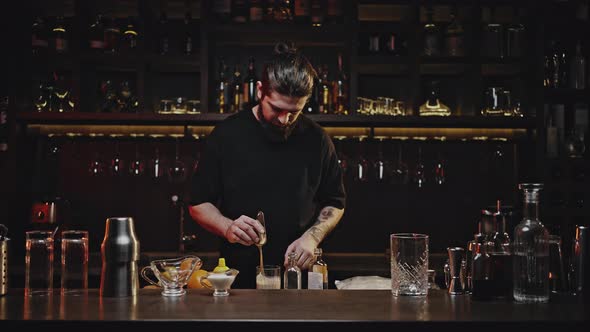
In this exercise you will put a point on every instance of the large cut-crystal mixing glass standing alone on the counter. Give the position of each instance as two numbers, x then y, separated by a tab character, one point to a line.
409	264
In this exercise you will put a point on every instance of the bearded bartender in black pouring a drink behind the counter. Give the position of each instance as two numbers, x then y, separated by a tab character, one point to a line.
273	159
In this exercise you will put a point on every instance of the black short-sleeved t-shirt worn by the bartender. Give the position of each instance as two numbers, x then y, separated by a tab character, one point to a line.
242	172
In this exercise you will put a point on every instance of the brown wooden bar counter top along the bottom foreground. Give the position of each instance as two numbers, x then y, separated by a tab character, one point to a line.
341	309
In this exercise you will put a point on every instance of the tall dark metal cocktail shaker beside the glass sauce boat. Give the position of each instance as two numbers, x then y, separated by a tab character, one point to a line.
120	254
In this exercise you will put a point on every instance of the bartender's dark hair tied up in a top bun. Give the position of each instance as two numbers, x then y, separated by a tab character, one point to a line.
288	73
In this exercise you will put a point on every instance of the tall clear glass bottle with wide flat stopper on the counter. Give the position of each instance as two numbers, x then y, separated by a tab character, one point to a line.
531	250
